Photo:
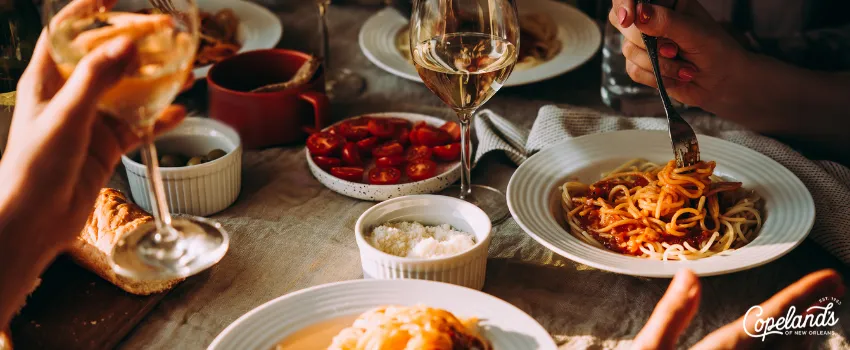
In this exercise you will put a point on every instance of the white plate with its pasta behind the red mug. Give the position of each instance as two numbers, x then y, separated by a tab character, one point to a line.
228	27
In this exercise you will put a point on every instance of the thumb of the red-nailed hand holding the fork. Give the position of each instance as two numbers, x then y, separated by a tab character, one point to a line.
684	29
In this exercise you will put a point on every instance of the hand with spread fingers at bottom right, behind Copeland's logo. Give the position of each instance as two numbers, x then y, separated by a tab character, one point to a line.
680	303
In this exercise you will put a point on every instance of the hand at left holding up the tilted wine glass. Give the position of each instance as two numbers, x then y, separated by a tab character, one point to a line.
61	150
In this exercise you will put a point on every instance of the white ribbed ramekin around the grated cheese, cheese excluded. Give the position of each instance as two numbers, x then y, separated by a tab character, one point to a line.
465	269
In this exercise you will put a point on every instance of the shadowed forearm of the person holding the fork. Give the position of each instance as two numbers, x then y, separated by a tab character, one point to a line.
781	100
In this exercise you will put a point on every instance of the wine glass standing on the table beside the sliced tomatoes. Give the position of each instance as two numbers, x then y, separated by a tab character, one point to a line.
464	50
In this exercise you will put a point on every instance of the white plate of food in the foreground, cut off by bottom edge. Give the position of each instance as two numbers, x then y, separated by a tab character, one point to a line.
385	314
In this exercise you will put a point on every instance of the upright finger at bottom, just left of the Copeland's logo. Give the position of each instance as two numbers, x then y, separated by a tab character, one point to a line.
672	314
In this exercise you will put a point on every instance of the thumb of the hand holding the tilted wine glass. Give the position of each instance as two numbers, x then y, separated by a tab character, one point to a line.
93	76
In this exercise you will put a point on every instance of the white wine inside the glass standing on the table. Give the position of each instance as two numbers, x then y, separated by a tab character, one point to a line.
464	69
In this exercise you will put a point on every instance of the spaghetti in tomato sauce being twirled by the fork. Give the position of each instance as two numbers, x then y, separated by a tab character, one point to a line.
662	212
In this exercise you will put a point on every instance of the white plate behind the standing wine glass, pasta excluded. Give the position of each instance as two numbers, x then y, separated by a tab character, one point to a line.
579	35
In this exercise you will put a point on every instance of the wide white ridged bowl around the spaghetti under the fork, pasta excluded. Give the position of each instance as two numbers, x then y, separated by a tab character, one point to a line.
534	199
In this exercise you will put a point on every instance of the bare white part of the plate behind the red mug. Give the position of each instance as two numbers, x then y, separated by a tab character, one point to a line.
259	28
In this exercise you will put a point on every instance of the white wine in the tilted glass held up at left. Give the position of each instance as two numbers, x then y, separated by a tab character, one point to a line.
161	66
